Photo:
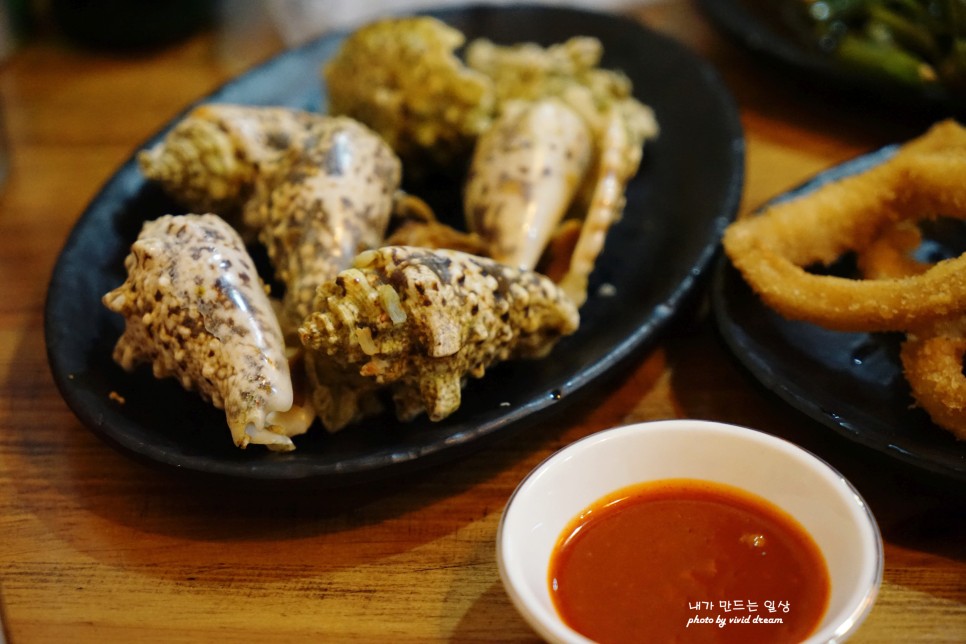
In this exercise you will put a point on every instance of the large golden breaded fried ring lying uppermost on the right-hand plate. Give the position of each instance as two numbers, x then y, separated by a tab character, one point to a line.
774	250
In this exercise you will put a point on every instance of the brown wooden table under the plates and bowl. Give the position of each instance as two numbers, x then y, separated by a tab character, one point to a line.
96	547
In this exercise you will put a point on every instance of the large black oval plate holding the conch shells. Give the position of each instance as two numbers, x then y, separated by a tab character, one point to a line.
688	190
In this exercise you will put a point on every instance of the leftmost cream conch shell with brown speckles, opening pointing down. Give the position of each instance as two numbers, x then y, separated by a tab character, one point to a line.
196	310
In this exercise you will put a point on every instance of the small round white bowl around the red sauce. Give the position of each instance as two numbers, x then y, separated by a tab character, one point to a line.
820	499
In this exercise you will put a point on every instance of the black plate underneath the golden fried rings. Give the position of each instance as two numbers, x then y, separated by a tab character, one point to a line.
849	382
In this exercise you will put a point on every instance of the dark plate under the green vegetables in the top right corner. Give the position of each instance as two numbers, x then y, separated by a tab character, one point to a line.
774	29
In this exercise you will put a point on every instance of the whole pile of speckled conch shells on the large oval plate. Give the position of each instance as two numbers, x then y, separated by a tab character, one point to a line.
379	304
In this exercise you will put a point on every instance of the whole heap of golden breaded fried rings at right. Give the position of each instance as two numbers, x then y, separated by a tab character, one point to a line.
874	215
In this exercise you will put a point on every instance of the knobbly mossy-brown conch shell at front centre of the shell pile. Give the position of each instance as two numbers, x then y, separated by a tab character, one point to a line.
420	322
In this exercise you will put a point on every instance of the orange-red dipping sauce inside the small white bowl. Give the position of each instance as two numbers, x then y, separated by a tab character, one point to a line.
687	560
